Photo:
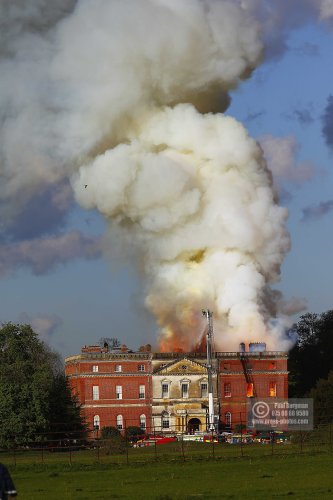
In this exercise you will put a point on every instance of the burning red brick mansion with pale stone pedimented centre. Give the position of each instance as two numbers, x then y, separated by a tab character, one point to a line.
168	392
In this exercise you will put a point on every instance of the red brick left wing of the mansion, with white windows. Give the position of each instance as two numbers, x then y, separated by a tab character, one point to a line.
110	386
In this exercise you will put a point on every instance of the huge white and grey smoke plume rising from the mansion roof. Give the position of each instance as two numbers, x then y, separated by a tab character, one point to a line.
128	99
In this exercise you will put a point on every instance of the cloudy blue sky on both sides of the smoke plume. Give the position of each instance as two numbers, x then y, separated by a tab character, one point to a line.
73	296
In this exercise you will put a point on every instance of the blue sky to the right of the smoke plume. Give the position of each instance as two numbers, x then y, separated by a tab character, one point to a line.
299	81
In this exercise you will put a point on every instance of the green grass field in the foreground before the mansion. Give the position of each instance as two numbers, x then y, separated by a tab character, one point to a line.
175	473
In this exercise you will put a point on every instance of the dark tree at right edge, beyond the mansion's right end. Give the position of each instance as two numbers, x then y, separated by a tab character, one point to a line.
311	358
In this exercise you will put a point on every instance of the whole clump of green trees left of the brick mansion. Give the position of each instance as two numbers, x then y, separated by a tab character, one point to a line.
33	393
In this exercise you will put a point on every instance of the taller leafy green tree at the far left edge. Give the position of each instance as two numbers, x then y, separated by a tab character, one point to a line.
26	373
